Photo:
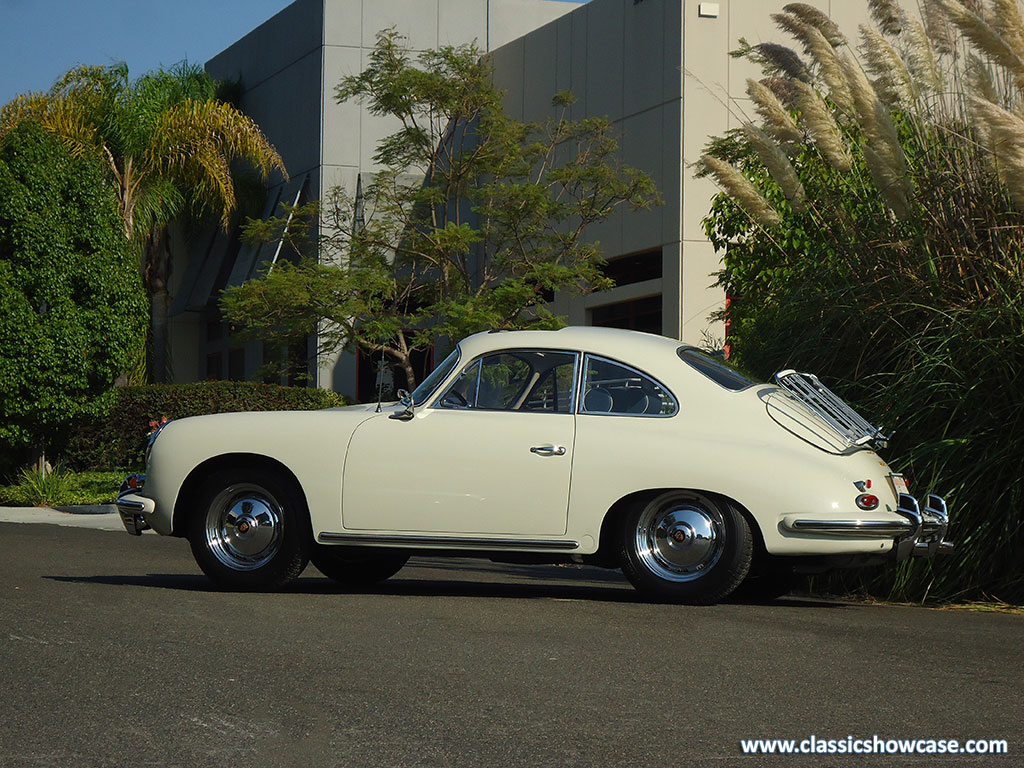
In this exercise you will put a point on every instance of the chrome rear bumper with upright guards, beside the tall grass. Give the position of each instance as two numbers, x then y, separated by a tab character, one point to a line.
921	533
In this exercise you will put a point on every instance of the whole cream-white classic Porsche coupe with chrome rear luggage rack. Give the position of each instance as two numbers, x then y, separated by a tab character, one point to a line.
595	446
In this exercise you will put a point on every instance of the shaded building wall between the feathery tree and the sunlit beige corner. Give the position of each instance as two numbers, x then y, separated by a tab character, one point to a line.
622	61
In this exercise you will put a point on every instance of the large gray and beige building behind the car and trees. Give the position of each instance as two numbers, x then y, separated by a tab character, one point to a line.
660	69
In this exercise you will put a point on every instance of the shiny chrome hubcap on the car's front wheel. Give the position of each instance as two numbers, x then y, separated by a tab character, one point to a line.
244	528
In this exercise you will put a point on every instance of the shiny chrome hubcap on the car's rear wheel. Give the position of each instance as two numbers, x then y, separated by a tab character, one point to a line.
678	539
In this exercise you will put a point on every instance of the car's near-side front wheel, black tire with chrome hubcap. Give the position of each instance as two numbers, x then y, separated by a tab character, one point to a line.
250	531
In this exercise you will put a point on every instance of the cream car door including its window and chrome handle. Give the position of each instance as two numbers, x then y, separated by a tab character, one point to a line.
492	457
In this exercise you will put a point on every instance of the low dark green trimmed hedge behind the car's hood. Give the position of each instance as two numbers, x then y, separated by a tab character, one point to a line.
118	438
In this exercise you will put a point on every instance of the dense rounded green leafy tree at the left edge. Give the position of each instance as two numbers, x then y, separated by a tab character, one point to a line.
73	302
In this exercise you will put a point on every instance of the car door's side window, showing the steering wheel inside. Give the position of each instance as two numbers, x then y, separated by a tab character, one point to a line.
516	380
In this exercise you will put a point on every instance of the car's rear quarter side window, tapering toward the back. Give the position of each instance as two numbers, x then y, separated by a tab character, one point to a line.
614	389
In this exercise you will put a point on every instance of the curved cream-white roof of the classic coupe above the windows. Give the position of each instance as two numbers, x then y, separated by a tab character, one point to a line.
629	347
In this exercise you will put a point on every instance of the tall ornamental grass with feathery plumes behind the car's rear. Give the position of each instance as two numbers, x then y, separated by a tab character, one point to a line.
873	225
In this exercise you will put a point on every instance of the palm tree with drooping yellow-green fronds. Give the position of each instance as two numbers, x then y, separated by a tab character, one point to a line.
167	144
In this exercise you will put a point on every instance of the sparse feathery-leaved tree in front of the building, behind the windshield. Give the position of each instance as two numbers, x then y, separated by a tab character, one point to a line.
473	222
